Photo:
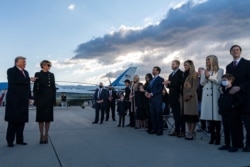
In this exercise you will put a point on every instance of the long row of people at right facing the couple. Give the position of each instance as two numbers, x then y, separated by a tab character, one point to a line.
210	95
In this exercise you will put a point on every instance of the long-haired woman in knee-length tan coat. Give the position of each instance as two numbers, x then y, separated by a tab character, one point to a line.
189	100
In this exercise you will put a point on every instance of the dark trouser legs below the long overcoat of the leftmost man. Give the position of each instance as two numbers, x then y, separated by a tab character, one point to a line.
15	130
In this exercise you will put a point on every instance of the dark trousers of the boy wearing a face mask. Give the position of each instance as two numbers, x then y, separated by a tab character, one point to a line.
233	130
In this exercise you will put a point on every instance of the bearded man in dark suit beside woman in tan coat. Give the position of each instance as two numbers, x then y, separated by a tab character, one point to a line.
174	84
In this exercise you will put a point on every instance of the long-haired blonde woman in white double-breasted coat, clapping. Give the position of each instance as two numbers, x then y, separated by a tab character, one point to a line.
210	80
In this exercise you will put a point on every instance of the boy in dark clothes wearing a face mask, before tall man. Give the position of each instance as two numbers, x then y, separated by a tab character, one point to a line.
229	105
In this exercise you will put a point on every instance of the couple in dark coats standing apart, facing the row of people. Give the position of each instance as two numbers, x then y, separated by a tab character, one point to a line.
18	98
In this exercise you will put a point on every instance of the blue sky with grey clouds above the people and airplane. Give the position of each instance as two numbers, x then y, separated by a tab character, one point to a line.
92	41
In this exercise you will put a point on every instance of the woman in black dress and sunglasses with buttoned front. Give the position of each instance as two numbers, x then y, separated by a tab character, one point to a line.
44	92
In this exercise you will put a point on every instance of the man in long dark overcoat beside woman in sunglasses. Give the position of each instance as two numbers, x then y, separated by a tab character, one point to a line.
17	101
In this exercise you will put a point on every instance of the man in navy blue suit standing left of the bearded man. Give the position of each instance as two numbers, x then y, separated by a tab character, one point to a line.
154	93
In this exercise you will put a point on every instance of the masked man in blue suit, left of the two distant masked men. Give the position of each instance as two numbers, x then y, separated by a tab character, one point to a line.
100	96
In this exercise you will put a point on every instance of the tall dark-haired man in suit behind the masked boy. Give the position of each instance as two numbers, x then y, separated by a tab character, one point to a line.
240	68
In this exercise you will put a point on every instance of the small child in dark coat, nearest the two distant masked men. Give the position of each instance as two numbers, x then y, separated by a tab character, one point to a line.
121	109
